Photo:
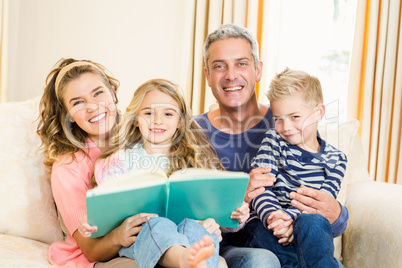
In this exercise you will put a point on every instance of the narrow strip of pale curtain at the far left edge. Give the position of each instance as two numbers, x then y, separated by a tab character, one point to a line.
3	48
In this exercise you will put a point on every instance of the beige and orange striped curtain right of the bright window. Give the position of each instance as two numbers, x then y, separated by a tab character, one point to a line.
375	86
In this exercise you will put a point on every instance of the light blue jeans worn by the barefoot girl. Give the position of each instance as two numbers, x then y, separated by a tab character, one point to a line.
158	234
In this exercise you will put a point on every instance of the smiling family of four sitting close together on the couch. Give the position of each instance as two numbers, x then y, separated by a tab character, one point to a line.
295	175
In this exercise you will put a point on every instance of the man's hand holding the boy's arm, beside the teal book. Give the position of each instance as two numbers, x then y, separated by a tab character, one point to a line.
259	179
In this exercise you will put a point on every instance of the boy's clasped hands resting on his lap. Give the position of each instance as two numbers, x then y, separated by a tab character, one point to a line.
282	226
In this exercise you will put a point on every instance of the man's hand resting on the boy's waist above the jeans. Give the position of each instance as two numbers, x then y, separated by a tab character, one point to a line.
312	201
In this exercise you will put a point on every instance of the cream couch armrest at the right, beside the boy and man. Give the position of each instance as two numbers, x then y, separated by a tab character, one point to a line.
373	237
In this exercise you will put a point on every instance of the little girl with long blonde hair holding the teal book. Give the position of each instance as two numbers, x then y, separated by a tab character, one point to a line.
159	130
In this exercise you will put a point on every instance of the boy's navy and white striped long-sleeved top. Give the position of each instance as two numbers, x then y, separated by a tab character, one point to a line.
292	166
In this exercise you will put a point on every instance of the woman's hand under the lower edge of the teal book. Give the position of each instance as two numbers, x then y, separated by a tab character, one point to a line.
127	232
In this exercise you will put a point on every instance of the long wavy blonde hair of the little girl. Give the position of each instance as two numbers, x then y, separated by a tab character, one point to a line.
190	147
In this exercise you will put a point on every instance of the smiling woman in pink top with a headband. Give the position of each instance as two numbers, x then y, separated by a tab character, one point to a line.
77	116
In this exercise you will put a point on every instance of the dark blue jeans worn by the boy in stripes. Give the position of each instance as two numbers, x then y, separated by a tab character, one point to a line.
313	242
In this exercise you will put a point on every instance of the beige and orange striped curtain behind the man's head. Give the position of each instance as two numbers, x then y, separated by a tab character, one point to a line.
207	16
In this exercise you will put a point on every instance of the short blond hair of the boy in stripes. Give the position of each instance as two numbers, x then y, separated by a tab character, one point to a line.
292	82
